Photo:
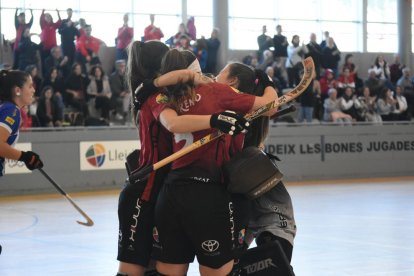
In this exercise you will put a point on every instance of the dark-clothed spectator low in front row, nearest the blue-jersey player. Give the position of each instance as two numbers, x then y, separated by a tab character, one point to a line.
49	113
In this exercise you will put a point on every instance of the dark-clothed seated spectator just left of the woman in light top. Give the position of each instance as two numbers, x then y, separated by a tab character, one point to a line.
75	93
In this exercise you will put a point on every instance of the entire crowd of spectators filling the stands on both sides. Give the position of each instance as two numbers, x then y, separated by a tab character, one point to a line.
73	89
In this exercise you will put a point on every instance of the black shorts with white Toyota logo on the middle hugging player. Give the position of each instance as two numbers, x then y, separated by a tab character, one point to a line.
194	217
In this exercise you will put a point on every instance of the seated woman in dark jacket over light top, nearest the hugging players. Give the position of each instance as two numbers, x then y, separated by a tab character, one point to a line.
99	91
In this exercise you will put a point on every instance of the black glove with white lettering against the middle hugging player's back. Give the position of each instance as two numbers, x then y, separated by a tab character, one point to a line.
229	122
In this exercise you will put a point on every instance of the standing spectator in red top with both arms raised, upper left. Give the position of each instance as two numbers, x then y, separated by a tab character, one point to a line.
48	34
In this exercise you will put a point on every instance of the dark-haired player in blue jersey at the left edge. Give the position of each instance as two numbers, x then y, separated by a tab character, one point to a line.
16	91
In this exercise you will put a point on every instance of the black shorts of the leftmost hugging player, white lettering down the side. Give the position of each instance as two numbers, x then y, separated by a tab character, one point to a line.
136	221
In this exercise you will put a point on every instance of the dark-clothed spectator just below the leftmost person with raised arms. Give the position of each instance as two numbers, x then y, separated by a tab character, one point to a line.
28	51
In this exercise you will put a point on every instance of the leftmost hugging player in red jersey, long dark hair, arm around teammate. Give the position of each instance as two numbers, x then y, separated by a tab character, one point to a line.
136	202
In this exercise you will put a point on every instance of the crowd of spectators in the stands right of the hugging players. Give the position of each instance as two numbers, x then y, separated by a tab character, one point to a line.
337	93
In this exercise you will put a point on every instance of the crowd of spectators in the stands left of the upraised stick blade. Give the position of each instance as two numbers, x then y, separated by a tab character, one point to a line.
71	85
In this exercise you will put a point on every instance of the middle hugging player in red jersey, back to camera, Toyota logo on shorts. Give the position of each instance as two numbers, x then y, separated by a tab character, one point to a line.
194	212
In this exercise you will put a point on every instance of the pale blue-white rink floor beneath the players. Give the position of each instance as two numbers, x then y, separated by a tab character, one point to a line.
354	227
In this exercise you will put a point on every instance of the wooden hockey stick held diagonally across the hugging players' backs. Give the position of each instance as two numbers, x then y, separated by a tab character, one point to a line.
309	72
